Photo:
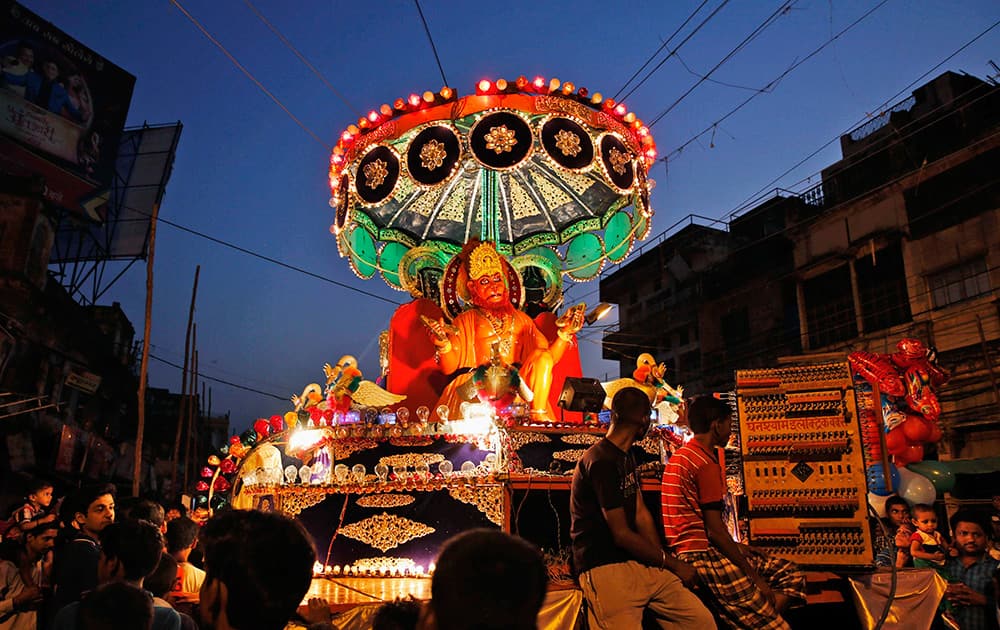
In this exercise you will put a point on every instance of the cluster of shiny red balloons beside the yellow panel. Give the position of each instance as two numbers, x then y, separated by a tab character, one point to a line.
906	381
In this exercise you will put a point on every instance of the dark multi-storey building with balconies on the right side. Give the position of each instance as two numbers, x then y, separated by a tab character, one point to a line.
900	239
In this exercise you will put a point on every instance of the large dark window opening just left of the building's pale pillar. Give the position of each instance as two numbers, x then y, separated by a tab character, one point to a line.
829	307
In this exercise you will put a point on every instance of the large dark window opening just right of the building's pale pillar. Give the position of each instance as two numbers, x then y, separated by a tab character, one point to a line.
882	288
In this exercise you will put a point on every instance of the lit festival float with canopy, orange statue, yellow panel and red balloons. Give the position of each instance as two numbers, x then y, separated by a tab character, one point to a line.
480	207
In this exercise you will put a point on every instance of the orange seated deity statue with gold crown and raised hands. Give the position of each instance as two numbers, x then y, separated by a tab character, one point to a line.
492	329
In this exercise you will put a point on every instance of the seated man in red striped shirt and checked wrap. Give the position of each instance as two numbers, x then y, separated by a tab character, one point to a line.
750	589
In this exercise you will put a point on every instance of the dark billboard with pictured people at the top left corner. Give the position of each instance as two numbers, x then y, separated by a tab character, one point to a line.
62	110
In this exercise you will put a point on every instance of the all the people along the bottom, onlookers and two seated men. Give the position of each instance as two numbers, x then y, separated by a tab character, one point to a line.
90	562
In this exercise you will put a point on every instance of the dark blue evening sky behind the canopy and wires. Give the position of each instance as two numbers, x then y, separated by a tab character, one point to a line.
247	173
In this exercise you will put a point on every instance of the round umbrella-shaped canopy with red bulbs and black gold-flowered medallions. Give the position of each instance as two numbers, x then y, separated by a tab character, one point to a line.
555	178
